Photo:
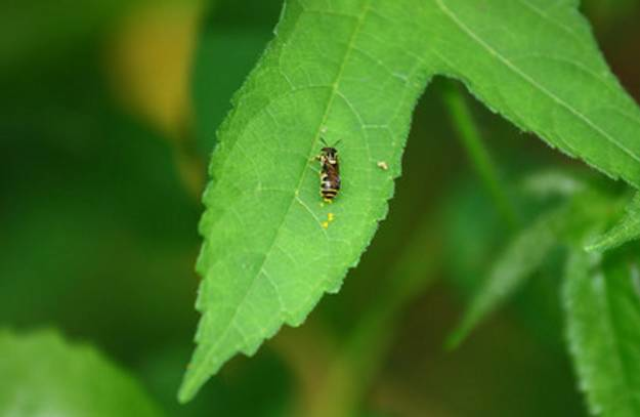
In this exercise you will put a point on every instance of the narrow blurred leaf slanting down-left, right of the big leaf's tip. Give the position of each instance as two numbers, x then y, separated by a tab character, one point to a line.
522	257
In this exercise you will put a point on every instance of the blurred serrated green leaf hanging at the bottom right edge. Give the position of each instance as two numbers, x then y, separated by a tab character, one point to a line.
603	311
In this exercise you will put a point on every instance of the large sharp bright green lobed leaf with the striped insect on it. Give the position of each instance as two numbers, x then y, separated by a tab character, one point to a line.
352	71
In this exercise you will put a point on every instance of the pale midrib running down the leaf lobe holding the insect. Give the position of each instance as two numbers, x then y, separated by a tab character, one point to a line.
334	93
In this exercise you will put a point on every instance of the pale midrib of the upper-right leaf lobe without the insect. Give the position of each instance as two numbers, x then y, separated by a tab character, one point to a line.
516	70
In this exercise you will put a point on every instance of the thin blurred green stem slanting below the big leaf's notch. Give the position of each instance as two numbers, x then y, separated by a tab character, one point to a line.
471	139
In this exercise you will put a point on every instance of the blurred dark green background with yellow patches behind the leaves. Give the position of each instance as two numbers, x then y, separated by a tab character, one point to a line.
108	112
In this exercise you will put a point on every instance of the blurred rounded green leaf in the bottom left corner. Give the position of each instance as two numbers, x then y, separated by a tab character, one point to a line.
42	375
